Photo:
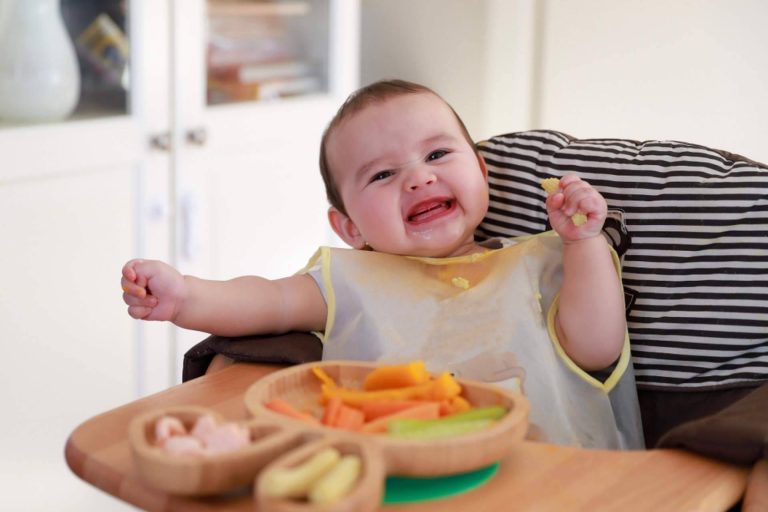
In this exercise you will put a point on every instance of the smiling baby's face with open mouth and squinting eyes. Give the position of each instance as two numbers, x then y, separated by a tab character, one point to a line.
410	181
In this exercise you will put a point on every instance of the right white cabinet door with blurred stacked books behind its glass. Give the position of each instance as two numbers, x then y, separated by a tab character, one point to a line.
250	197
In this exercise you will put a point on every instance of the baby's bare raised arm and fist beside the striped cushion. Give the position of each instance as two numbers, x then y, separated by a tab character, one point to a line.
590	319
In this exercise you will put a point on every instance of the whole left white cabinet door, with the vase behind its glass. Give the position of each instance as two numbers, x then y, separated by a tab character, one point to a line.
77	199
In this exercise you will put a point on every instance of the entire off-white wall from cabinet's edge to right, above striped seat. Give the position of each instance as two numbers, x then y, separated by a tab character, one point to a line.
689	70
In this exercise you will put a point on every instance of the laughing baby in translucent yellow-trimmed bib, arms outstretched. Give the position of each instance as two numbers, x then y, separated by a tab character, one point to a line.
407	189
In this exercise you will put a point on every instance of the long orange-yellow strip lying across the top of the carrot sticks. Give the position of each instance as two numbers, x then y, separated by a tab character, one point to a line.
443	387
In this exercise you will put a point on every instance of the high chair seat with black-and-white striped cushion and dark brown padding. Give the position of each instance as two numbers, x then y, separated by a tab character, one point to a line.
690	224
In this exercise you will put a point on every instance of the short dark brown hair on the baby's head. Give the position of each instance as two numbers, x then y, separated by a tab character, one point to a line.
357	101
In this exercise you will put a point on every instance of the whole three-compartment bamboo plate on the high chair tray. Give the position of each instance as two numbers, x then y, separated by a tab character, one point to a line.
277	441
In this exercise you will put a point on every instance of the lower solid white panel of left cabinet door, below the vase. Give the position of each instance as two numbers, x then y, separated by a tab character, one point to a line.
68	348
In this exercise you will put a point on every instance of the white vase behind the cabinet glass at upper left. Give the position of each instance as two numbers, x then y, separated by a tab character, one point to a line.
39	75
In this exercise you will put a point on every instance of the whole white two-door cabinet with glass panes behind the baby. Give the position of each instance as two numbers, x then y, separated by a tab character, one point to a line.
229	186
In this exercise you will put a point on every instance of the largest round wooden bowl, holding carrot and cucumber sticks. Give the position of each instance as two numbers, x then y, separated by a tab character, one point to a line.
300	387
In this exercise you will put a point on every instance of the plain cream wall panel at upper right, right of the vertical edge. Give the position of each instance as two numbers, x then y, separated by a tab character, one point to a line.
669	69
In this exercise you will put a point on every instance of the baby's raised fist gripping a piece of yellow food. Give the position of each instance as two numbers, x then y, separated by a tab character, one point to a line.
576	210
